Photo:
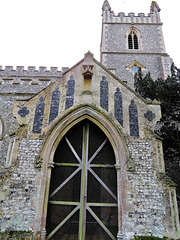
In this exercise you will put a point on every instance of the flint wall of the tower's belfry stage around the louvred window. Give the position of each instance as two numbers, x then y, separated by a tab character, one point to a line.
116	39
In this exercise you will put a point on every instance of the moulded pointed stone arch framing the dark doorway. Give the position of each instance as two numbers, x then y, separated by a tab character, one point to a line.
59	129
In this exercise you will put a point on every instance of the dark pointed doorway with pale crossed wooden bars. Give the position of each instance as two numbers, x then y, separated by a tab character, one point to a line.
83	190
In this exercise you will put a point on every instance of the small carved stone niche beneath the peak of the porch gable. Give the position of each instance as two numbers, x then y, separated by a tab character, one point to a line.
87	73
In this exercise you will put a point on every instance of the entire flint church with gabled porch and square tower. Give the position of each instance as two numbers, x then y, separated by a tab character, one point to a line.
79	156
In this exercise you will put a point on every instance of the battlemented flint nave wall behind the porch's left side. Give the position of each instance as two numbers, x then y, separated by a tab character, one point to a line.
18	84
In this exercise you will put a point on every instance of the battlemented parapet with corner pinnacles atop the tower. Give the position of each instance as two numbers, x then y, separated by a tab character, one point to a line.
152	18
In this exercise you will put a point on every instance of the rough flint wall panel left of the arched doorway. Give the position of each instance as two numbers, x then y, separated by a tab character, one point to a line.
19	204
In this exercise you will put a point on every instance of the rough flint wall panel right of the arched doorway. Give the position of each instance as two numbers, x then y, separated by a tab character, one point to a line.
146	193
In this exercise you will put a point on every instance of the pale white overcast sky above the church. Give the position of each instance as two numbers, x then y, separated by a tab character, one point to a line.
57	33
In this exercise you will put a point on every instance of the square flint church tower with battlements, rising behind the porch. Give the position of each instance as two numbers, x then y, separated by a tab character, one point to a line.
130	42
